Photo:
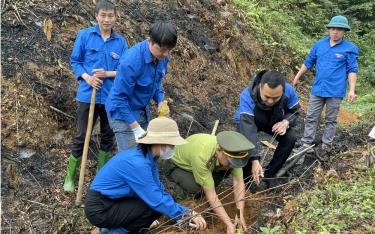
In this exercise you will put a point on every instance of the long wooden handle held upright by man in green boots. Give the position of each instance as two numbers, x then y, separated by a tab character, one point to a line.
86	148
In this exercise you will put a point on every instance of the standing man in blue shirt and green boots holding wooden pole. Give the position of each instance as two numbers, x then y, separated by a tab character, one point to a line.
94	60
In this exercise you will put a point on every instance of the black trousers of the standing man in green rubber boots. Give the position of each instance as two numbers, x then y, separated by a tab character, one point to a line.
106	134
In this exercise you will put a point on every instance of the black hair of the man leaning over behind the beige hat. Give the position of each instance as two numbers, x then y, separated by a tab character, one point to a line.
164	34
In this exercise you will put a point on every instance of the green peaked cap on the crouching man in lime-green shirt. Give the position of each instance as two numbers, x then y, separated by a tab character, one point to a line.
236	147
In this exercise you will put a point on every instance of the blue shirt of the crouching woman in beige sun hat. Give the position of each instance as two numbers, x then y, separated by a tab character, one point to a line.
131	174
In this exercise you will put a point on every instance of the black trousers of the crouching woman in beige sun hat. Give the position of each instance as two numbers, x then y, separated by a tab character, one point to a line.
129	212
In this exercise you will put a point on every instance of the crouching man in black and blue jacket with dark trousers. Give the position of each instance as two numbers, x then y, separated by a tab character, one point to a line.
271	105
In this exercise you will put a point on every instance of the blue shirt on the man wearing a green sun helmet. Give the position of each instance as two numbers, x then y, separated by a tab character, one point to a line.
333	64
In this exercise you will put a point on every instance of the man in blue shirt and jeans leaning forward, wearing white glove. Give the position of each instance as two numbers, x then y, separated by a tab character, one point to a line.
140	79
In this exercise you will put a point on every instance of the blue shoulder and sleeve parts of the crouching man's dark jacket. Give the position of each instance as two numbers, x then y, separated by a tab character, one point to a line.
247	104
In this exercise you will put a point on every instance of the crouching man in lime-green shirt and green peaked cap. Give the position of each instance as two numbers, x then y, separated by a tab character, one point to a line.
205	161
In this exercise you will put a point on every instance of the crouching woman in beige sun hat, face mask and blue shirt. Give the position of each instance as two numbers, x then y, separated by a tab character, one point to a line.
127	192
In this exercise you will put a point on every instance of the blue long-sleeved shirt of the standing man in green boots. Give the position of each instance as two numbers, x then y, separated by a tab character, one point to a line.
90	52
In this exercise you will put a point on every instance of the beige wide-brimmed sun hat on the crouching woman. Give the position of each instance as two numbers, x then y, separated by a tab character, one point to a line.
162	130
